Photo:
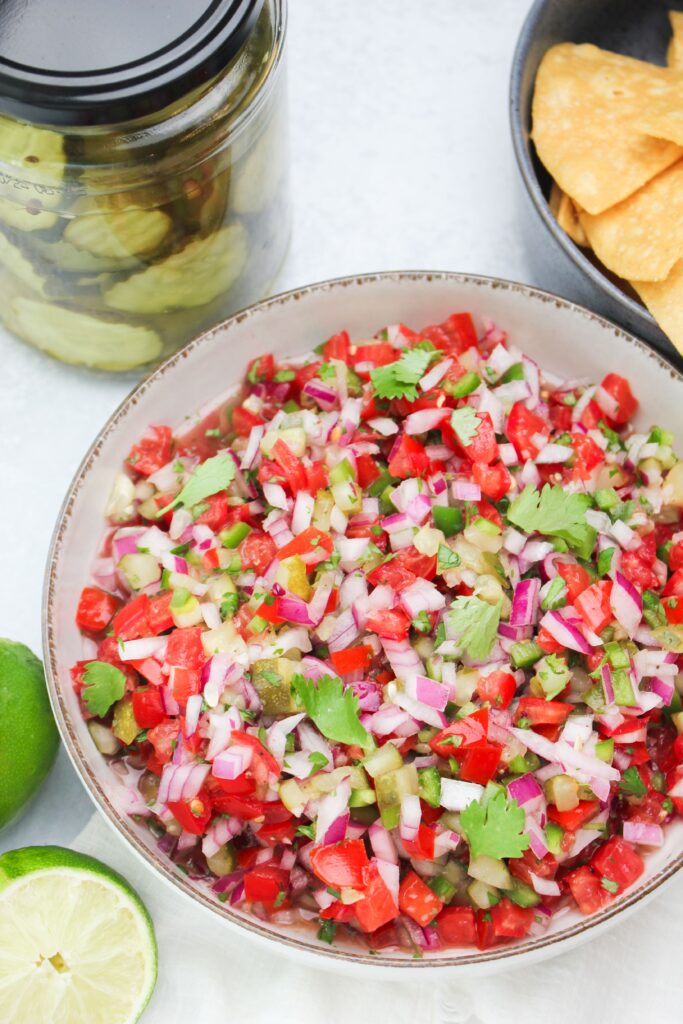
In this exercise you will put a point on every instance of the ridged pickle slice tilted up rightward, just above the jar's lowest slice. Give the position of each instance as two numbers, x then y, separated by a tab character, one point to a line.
196	276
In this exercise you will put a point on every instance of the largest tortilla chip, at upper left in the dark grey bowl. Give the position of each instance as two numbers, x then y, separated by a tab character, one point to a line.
586	104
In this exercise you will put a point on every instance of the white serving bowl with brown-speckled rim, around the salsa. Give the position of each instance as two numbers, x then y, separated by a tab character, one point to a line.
565	338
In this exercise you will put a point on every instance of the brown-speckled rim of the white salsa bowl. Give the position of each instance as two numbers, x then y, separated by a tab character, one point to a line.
527	951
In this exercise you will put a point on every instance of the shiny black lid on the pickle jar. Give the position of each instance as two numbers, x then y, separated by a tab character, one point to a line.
106	62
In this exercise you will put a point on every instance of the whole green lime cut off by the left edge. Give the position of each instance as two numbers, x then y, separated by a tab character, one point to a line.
29	738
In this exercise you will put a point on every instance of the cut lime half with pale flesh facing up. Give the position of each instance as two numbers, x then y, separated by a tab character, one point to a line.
77	946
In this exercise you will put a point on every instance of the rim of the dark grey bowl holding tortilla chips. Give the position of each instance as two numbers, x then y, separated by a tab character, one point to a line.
530	178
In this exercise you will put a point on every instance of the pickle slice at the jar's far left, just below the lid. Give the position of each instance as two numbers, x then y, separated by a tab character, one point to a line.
34	163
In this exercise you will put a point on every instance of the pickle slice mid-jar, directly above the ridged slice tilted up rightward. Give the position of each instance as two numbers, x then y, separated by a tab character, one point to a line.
117	234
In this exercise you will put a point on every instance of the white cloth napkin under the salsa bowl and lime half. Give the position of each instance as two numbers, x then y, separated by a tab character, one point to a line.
209	974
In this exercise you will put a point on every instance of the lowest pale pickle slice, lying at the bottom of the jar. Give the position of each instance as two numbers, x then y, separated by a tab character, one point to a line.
79	338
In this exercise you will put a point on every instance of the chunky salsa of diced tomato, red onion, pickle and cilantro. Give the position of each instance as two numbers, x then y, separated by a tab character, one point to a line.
392	644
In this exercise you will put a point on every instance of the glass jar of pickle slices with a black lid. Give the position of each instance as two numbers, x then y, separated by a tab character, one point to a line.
126	229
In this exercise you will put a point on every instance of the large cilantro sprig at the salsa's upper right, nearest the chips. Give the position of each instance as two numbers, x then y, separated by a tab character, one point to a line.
557	514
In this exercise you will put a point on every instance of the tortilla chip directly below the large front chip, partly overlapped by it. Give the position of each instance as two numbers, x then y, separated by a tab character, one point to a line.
642	238
